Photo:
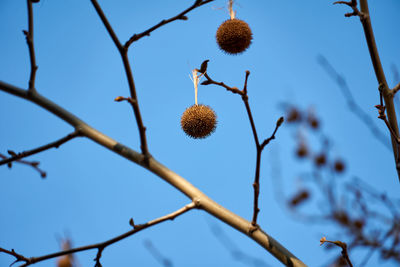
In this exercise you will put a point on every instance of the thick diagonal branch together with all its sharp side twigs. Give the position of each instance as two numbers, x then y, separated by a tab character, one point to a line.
199	200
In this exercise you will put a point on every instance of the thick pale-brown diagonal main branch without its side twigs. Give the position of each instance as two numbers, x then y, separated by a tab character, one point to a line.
207	204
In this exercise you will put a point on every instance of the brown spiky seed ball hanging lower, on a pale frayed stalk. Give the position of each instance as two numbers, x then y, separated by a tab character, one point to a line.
198	121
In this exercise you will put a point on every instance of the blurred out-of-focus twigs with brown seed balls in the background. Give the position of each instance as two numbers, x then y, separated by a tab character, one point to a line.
366	218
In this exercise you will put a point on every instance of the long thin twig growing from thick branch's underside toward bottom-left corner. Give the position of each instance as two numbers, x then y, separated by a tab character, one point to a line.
101	246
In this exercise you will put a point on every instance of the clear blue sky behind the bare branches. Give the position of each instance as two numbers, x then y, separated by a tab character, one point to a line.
90	193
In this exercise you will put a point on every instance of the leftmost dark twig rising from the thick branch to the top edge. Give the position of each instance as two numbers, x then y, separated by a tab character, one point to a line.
29	40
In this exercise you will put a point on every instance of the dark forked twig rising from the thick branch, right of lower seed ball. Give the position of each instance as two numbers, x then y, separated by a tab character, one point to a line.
259	147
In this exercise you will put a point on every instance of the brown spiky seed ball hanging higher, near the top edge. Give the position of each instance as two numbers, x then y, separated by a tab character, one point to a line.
234	36
